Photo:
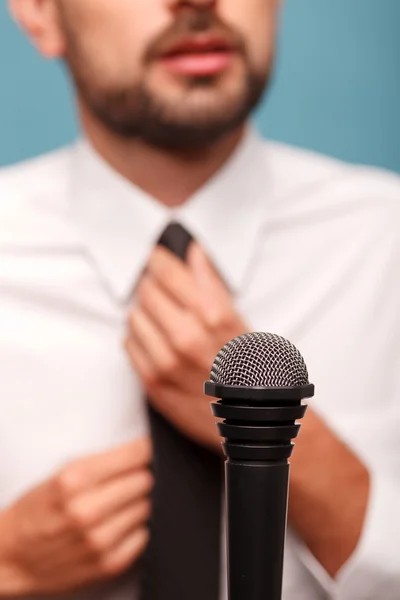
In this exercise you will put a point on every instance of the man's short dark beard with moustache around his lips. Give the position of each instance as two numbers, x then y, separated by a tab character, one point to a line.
195	115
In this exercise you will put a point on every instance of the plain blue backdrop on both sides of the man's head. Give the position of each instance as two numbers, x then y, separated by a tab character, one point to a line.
336	90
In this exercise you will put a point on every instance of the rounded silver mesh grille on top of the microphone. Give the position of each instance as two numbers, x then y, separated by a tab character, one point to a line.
259	360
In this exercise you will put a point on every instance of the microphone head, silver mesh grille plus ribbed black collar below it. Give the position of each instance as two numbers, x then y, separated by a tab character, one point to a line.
260	381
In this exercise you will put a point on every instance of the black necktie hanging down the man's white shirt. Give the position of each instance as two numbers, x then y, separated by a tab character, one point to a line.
182	561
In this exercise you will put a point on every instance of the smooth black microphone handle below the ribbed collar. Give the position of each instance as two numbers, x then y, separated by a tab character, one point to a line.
256	521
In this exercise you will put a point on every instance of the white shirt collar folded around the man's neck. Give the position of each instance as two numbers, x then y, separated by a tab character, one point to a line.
120	224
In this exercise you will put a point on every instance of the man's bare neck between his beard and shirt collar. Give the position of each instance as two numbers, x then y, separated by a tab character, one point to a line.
171	177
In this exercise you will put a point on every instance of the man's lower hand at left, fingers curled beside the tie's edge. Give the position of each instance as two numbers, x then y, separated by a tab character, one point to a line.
86	524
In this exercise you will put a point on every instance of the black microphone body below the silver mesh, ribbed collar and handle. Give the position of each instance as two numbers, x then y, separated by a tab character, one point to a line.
258	426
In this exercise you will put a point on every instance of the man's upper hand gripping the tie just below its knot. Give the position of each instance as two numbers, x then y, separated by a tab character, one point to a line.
185	315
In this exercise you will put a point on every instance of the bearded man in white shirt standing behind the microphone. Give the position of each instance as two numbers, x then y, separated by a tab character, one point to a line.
284	241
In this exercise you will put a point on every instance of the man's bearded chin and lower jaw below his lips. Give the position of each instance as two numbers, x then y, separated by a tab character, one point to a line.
176	114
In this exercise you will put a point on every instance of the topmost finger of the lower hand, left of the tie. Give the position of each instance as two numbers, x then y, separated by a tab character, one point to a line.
100	503
